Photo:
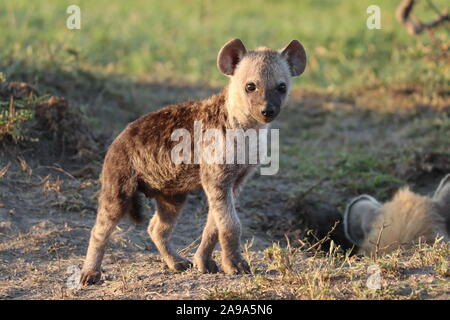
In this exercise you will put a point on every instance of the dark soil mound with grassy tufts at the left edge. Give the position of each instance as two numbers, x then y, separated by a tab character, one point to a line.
44	126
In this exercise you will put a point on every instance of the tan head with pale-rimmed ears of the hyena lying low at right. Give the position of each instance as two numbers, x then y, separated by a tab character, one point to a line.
408	217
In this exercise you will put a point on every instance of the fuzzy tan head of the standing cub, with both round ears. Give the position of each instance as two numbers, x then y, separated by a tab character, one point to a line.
260	80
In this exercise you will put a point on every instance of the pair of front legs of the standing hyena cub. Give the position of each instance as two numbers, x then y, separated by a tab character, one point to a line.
223	213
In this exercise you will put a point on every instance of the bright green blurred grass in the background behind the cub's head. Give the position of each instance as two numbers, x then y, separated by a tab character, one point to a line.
178	40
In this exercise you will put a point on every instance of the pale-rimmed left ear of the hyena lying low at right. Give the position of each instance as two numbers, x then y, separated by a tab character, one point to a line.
359	216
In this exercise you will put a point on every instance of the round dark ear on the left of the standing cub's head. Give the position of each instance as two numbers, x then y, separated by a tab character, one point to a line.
230	55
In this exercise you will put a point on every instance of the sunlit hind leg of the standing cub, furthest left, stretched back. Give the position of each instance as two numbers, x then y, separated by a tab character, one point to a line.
111	209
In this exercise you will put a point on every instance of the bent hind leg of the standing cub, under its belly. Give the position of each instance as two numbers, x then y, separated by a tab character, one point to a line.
168	208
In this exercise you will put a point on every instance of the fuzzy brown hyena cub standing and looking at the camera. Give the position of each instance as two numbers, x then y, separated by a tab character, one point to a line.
139	160
